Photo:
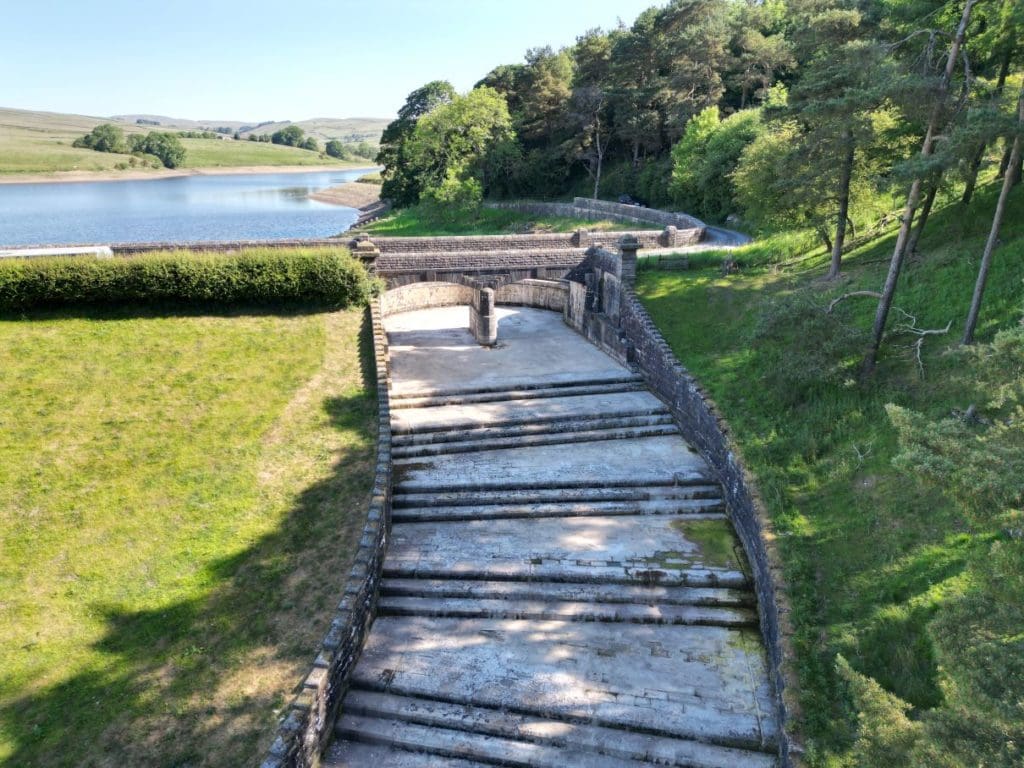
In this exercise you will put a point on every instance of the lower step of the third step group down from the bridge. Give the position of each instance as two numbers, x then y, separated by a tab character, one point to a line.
705	509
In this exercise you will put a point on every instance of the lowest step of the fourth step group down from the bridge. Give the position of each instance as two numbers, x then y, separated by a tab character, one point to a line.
538	611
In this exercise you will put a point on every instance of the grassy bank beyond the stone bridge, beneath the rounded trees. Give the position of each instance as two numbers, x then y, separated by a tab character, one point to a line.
418	222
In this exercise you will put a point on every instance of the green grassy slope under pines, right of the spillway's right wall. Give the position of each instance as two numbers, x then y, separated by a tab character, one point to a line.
876	562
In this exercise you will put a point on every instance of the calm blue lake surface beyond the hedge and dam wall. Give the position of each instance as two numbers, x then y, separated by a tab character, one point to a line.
184	209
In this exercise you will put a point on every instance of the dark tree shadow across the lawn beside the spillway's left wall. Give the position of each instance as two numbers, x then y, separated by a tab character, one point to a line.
200	682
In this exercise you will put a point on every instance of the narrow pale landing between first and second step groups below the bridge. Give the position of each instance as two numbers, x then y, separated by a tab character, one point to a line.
423	421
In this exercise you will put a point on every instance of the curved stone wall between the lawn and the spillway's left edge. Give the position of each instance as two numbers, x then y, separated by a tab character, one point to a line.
310	720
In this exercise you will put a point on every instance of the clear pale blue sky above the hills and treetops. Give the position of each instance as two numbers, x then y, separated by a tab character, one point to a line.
257	60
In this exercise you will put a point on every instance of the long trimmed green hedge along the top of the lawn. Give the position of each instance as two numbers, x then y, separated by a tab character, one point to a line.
321	277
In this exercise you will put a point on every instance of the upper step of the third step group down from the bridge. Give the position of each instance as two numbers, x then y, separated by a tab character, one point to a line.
569	494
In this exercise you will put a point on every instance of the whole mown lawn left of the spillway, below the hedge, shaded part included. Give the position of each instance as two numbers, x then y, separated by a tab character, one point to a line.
180	499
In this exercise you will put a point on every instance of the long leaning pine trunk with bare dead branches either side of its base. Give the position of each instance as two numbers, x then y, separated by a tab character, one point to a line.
927	150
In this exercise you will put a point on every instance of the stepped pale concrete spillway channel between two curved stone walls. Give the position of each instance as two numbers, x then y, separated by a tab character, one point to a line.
563	586
